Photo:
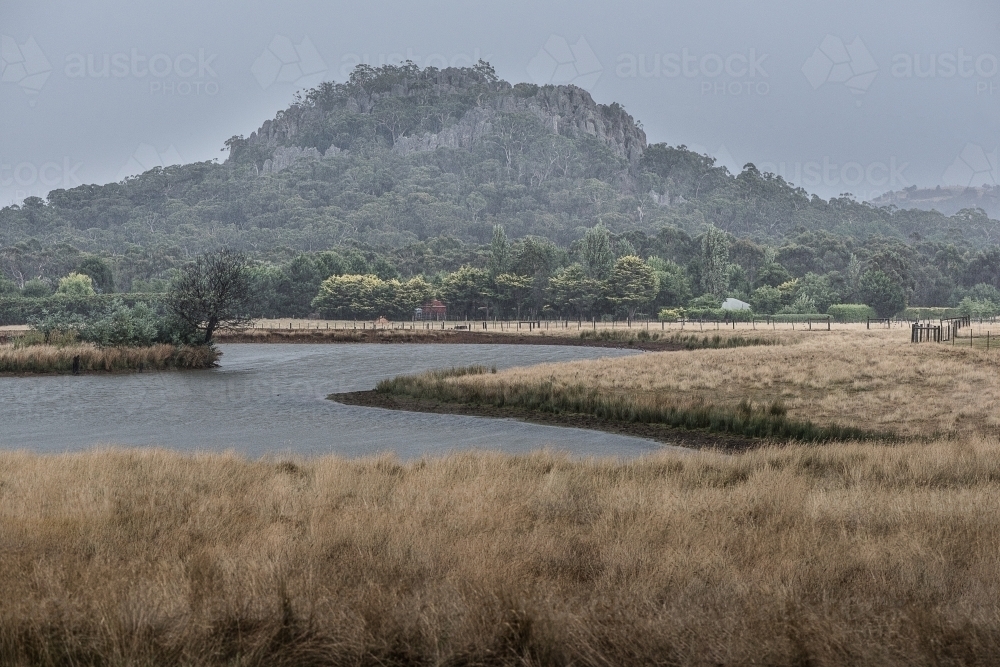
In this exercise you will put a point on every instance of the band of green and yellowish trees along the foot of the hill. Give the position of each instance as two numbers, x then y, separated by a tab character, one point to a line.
601	274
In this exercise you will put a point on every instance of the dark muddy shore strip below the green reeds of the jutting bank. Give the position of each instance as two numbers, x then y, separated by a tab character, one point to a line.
692	439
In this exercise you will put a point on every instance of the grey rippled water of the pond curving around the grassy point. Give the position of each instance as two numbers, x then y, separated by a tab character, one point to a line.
271	399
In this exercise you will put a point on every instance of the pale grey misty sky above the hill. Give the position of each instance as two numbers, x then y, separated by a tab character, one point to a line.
859	97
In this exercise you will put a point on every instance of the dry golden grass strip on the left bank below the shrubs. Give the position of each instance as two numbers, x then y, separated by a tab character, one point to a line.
54	359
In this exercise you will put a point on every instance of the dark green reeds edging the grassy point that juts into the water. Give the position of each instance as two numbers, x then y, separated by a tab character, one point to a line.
748	419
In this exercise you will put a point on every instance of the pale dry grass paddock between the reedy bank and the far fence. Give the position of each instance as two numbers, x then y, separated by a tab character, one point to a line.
874	380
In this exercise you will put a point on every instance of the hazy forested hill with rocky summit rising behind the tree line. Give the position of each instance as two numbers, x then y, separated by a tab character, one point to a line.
420	165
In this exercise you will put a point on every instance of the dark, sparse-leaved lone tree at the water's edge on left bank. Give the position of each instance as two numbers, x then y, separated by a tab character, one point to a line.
213	292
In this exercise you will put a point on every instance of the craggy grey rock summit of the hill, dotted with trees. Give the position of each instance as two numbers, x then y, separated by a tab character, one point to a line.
416	110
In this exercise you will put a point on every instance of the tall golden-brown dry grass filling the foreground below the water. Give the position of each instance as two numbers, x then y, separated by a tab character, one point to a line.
846	554
